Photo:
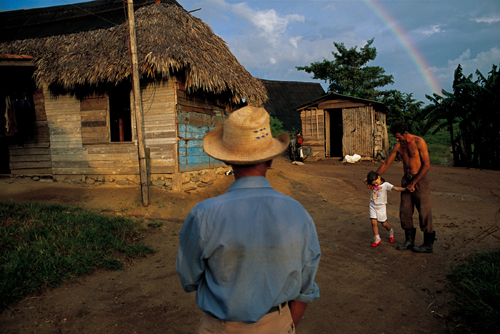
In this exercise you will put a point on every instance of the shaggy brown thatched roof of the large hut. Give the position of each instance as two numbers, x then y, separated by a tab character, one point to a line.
169	41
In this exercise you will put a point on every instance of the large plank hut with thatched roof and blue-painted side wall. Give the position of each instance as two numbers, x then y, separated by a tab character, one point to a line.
66	92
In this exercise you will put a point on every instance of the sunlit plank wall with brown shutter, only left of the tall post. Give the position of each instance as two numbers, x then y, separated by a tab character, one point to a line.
70	155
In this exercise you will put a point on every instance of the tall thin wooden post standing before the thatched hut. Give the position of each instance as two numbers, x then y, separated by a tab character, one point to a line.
138	106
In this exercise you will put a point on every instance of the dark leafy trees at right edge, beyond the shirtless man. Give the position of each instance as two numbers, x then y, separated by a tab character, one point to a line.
474	109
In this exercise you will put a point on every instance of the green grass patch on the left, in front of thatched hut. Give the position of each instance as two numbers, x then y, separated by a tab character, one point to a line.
44	245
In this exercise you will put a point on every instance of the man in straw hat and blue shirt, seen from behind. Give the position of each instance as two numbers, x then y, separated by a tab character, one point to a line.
251	254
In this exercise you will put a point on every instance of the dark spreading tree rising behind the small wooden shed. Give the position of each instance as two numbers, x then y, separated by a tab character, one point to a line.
348	73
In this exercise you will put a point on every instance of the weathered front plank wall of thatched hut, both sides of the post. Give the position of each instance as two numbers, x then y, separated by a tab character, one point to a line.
94	154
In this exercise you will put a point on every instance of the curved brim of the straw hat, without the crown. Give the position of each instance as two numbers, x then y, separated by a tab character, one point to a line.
214	147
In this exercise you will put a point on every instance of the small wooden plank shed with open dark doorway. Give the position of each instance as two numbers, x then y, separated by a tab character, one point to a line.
336	125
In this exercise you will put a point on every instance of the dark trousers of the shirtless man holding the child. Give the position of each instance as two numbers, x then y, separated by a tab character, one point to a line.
421	199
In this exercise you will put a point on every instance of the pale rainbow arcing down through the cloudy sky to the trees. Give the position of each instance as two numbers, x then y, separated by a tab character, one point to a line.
410	49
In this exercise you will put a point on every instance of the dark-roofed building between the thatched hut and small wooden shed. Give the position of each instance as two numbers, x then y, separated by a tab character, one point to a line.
284	96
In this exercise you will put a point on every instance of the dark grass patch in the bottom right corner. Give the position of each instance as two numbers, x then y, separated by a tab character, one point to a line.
475	285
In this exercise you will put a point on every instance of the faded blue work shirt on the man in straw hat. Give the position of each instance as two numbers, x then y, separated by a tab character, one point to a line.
248	250
